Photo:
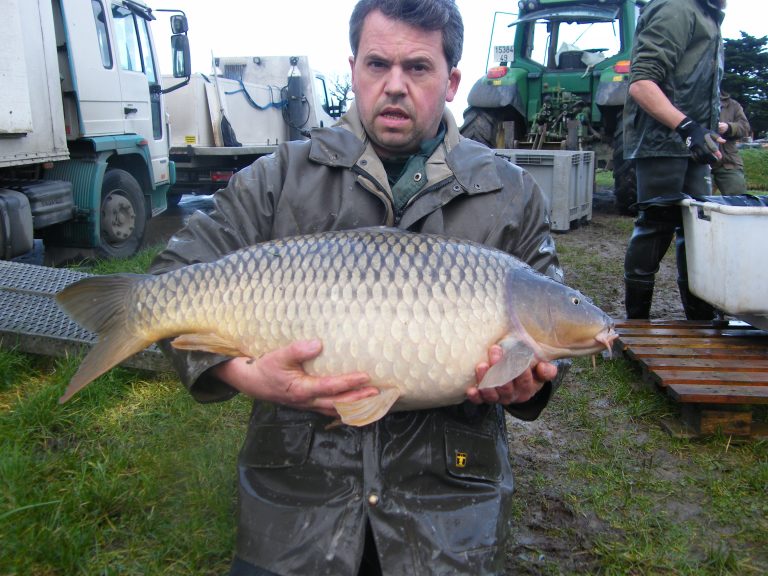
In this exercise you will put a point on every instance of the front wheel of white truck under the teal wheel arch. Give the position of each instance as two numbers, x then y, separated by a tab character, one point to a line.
123	215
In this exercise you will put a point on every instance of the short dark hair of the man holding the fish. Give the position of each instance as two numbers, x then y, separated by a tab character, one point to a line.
425	14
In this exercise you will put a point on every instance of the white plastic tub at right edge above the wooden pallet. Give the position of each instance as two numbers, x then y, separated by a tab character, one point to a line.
727	253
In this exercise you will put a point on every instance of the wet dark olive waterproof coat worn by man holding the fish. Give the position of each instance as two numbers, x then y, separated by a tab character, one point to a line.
306	492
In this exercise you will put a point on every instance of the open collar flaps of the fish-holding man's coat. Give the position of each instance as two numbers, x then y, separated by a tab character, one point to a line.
346	144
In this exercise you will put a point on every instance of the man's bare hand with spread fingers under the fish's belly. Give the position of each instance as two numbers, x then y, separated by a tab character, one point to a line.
279	377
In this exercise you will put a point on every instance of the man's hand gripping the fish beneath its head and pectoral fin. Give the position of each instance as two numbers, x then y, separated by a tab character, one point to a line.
521	389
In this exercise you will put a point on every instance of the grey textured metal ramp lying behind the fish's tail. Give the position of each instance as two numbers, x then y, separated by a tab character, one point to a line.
31	321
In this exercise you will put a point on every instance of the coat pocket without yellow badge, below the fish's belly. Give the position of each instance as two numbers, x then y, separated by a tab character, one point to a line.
277	445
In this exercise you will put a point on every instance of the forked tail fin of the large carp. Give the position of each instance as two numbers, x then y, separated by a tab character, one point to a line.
100	304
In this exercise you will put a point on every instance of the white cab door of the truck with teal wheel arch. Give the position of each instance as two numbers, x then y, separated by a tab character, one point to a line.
140	82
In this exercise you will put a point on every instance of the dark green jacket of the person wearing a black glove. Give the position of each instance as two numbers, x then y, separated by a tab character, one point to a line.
677	46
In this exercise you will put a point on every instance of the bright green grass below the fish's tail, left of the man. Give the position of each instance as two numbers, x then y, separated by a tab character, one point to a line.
131	476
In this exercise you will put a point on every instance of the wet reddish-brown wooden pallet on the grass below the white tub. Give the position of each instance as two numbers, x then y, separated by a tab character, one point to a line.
718	374
